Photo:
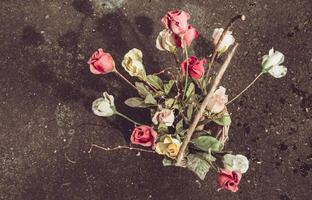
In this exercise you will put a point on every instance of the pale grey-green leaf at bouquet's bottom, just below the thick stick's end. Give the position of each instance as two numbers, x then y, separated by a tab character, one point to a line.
197	165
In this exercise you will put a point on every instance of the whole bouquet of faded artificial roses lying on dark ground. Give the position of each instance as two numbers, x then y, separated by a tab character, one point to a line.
190	122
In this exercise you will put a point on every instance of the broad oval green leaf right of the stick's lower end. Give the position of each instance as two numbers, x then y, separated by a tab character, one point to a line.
207	143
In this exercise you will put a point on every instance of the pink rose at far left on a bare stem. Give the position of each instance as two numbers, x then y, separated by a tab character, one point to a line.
101	62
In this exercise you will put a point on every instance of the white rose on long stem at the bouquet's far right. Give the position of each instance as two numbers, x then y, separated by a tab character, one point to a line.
271	64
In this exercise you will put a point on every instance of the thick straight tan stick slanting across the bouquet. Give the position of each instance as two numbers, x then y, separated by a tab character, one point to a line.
203	106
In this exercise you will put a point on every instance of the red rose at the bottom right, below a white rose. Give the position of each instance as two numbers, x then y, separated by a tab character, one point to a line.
229	180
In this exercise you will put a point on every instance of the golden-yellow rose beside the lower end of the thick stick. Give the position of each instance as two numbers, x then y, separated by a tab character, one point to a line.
168	146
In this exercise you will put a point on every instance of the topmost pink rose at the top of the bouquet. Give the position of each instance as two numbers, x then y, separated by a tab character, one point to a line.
176	21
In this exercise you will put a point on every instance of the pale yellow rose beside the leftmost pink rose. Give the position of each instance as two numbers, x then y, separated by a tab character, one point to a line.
133	63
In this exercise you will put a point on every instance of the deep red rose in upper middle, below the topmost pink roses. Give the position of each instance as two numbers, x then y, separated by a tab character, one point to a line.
195	67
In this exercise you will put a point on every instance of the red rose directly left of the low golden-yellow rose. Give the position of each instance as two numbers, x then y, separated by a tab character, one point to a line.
143	135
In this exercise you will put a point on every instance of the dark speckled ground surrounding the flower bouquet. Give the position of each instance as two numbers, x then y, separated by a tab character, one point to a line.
47	125
